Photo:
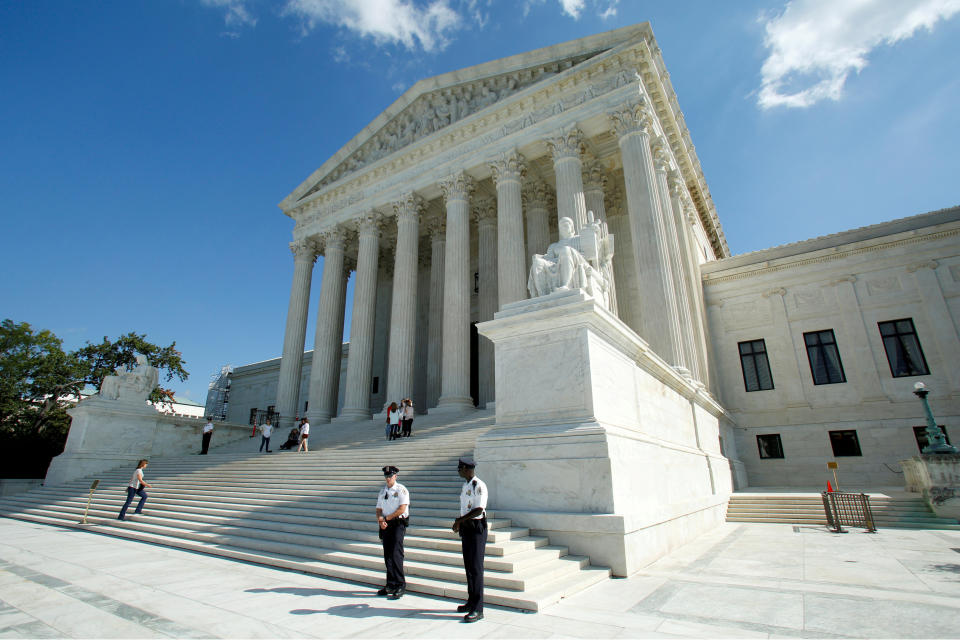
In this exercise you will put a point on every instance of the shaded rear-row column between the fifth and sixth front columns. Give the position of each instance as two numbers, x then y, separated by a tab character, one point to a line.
487	258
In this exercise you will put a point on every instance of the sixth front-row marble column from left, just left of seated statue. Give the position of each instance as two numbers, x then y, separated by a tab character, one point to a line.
511	262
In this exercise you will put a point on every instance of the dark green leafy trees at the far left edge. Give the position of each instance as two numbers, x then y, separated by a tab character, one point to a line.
39	381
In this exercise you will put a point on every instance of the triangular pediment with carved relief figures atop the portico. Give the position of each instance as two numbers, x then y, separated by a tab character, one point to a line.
435	103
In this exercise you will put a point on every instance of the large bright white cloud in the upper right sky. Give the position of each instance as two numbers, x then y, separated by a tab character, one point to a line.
815	44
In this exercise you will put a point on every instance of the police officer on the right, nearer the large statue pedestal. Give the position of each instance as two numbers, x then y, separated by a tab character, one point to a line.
472	527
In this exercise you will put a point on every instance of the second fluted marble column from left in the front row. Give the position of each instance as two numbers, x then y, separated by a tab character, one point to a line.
328	337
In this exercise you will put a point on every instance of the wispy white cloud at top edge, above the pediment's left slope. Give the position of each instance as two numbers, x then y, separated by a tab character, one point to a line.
404	22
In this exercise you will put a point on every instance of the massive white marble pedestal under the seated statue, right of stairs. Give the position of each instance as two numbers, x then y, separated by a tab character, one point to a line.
598	443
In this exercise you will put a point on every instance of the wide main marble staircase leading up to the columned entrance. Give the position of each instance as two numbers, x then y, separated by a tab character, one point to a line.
315	512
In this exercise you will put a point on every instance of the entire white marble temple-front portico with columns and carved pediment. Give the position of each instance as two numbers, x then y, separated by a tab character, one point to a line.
458	183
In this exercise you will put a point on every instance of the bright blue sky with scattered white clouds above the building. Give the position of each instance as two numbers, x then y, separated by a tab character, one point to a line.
144	145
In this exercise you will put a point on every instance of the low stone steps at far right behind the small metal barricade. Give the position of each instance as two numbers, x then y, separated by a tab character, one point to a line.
890	510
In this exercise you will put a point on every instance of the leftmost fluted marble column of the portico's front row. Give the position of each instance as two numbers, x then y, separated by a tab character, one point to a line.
291	363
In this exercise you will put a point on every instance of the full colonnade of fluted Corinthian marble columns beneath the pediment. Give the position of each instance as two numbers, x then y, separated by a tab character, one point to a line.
656	273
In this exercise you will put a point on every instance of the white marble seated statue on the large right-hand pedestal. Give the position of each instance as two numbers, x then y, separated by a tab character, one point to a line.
575	262
